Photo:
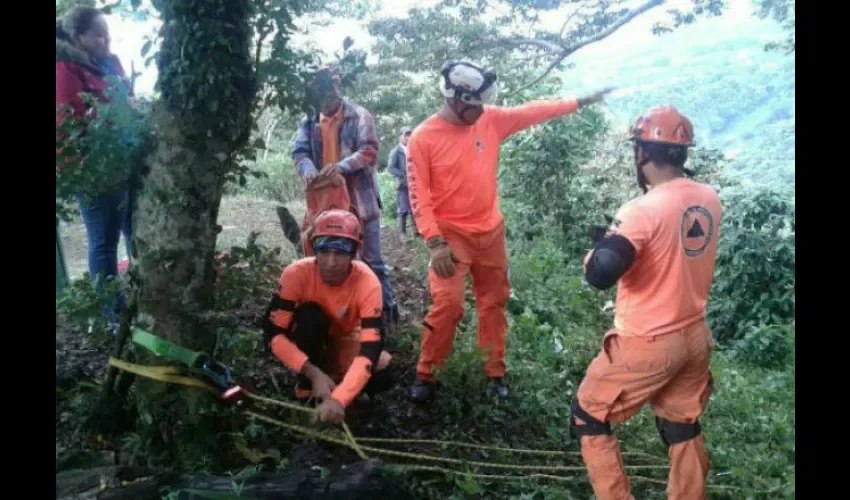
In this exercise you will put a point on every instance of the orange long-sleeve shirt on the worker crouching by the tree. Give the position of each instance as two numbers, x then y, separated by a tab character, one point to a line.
354	307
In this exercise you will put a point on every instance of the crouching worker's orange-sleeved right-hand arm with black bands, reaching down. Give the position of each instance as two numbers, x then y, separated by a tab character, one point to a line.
371	343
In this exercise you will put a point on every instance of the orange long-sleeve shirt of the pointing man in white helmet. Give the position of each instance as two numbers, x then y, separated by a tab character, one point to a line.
451	169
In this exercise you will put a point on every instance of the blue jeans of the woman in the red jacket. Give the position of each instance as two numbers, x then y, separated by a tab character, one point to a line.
106	217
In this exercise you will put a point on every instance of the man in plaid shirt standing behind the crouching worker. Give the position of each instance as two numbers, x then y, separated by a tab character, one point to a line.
341	138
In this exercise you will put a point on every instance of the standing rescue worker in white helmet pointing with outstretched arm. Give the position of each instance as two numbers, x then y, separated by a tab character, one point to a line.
451	171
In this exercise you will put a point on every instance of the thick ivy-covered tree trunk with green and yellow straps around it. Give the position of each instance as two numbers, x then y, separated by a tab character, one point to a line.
199	124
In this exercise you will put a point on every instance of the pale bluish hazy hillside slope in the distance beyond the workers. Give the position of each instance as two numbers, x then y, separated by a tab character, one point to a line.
741	98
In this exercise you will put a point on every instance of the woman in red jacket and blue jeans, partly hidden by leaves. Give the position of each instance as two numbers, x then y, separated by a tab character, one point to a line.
83	65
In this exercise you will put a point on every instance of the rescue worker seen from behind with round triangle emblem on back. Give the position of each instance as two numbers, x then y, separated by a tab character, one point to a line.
660	251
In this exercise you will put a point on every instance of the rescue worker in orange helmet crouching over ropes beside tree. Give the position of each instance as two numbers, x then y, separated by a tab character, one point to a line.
324	322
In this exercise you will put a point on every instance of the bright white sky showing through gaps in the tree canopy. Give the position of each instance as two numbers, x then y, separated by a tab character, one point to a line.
129	36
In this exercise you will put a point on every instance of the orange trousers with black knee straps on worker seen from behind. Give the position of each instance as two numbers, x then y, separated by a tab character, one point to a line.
671	373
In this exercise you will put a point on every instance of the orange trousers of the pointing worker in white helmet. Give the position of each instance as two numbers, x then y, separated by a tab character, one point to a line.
485	257
